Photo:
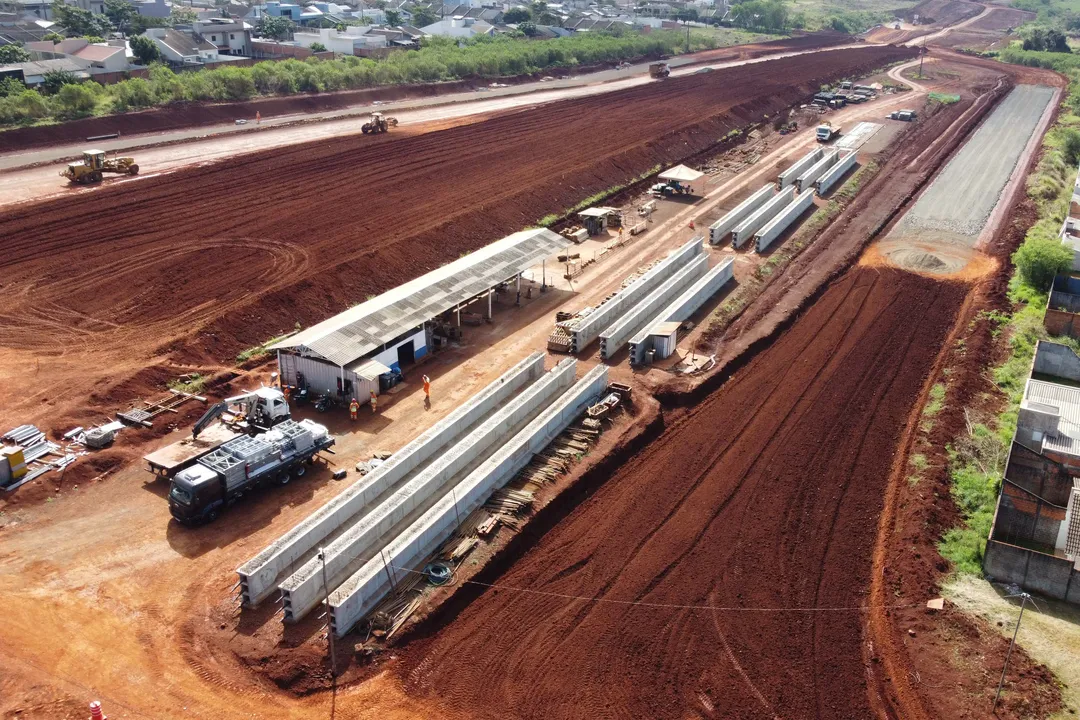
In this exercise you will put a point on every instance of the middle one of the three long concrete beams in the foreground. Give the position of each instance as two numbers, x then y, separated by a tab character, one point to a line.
303	590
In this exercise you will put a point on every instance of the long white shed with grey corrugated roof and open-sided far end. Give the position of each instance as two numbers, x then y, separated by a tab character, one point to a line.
347	355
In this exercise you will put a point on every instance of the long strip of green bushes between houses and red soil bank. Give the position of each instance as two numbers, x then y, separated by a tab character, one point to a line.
440	60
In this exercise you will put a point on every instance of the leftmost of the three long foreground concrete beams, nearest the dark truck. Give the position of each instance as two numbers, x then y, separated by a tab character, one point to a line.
260	577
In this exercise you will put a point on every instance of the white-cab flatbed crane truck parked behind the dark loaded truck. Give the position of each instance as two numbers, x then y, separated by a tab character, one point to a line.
249	414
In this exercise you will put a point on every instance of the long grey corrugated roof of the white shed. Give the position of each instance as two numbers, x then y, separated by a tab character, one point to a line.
354	334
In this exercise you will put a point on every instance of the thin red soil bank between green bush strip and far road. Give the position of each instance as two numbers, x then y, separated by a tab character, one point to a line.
197	115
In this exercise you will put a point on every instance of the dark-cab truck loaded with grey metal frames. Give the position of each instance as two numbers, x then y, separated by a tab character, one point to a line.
219	480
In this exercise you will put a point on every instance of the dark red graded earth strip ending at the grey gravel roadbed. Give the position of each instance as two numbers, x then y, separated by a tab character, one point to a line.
772	494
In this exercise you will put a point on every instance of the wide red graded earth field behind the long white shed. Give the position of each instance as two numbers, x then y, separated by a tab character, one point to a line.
104	282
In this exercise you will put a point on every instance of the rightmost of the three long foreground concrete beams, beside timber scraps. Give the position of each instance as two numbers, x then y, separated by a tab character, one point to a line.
367	588
